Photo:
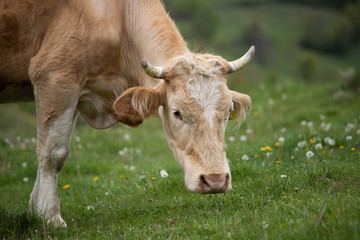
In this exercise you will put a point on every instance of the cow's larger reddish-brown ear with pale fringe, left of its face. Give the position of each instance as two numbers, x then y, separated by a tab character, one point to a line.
136	104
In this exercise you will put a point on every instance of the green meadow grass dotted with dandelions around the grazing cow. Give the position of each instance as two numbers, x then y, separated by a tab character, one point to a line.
129	204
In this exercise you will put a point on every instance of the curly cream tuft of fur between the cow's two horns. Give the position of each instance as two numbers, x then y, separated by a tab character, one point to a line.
203	64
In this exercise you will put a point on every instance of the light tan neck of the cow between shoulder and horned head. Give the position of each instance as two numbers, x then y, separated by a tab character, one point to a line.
151	35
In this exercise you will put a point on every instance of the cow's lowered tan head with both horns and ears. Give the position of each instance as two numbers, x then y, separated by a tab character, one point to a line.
194	105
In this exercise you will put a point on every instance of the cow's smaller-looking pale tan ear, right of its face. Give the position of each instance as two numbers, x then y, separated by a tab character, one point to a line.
241	106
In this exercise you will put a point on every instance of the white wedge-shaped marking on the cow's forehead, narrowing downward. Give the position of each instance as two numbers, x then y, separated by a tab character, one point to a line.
206	94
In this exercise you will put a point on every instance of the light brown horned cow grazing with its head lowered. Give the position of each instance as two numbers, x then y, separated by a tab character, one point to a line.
115	61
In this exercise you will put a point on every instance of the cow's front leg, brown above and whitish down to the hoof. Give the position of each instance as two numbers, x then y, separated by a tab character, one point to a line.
55	126
